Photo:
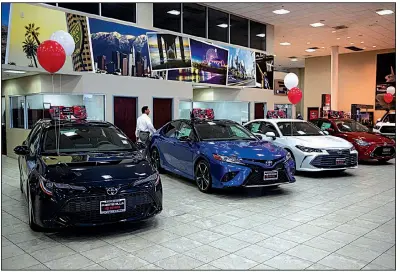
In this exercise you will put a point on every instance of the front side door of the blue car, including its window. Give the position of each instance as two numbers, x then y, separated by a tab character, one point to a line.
185	148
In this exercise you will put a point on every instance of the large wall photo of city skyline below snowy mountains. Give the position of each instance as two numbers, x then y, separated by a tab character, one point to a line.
119	49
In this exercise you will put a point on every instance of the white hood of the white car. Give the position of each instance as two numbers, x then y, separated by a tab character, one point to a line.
325	142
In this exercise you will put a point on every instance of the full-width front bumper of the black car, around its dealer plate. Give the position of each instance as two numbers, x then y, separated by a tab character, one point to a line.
84	210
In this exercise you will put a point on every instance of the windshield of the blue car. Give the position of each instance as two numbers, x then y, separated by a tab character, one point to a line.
216	131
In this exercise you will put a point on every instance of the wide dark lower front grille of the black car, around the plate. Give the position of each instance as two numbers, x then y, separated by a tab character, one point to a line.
87	209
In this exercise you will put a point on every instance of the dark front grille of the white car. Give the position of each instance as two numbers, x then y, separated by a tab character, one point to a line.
329	161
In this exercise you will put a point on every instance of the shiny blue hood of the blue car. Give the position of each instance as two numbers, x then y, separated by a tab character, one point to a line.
257	150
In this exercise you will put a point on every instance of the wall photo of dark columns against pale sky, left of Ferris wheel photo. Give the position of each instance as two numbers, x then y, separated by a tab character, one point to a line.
168	51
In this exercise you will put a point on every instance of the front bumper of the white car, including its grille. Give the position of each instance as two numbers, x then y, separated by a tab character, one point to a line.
328	160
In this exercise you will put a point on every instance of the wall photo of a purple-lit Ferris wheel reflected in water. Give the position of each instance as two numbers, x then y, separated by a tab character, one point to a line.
209	65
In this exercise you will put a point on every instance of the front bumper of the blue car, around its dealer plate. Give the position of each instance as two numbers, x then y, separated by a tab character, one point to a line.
251	174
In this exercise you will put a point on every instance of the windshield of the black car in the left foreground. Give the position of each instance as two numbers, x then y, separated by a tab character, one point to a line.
84	138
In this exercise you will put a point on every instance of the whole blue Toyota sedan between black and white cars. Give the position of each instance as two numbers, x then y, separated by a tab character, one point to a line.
219	154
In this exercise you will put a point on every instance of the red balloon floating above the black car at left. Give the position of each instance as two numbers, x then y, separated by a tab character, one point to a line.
51	56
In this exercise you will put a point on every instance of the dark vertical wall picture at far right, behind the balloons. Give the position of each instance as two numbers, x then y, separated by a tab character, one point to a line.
385	78
